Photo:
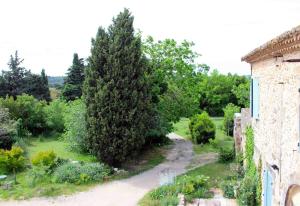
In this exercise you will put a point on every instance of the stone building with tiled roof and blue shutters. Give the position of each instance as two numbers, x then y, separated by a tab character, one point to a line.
275	112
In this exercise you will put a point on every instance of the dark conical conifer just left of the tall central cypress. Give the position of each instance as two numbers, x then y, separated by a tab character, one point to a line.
74	80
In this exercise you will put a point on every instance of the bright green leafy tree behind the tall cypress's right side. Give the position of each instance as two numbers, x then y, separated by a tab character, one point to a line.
176	74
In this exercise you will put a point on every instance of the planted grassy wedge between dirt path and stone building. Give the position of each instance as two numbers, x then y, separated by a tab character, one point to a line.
194	184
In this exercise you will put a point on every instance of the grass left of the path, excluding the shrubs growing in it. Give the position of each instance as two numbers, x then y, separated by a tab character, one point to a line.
46	187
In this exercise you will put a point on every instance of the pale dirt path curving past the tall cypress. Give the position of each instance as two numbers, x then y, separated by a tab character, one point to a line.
125	192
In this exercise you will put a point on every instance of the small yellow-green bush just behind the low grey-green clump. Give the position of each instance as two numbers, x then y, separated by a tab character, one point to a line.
46	158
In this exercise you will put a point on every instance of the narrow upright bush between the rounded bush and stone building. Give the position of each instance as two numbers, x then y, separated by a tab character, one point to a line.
228	122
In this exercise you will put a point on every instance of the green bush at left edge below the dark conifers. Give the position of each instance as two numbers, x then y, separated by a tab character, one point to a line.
29	109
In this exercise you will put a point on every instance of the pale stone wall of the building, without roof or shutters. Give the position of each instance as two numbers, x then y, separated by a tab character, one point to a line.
276	131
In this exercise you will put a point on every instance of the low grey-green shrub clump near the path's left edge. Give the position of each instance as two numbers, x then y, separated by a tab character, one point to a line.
80	174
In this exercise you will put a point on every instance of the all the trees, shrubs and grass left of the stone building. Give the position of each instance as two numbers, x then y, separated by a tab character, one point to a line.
115	108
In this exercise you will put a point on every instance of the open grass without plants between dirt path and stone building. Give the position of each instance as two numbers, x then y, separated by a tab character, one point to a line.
217	172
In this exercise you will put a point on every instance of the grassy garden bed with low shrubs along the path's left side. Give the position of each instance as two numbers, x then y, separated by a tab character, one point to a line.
43	178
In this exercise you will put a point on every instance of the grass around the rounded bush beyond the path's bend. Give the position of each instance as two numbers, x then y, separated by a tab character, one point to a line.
222	140
